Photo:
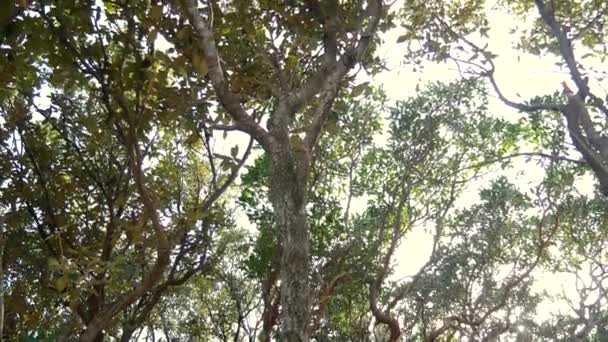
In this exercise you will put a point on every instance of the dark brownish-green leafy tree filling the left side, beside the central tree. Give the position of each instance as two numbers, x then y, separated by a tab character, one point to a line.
102	152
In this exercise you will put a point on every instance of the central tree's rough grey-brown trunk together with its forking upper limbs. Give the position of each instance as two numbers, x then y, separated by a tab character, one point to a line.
290	155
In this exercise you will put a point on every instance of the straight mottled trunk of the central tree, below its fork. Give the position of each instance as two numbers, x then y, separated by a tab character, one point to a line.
288	196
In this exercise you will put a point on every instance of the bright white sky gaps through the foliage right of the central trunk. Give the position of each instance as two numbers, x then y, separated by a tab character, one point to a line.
516	73
